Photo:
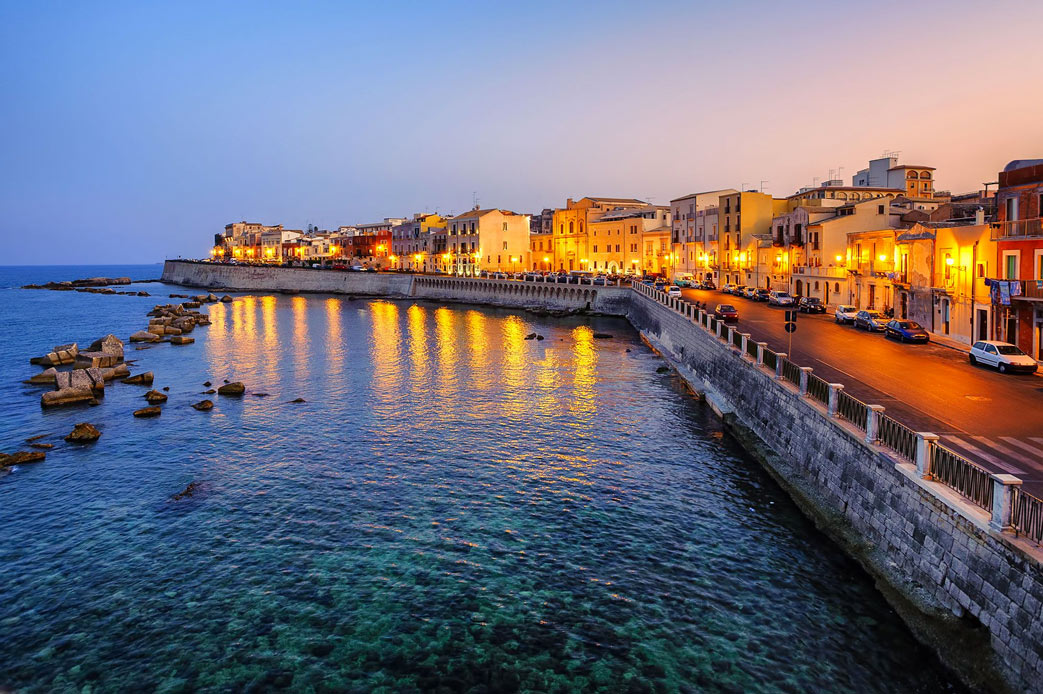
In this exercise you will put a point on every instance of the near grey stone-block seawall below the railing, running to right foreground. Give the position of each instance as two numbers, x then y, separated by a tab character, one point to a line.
974	593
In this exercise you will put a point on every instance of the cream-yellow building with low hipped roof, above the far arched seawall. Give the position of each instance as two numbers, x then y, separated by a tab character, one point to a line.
487	241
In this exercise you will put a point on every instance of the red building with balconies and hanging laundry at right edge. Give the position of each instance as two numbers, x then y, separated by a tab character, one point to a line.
1018	232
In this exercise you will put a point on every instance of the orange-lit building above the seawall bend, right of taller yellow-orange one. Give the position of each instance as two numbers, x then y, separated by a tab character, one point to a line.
618	241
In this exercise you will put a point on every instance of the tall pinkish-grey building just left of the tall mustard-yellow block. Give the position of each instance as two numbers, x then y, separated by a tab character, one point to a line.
694	237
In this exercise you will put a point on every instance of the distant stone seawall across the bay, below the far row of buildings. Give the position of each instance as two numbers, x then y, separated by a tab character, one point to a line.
612	301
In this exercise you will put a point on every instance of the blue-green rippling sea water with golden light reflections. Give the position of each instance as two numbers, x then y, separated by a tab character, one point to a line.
454	509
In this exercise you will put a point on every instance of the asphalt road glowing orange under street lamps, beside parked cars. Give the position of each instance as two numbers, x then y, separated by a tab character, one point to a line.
993	419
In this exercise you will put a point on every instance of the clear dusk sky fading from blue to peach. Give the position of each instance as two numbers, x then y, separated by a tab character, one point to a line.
135	132
